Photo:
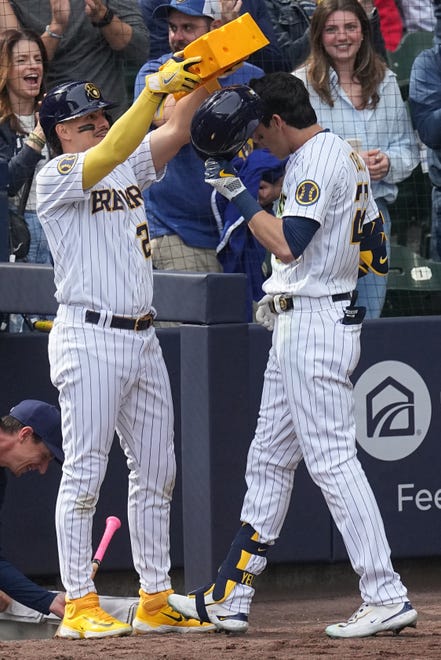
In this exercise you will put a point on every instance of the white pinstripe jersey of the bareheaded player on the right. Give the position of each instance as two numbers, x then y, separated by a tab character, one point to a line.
328	182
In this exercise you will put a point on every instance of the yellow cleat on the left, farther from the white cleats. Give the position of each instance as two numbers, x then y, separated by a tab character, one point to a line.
84	619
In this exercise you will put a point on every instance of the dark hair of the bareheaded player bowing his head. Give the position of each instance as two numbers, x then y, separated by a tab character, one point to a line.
285	95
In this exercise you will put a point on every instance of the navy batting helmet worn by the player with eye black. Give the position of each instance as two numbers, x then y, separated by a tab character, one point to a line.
69	101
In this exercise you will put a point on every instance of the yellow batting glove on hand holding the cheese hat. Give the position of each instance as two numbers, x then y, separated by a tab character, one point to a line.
174	76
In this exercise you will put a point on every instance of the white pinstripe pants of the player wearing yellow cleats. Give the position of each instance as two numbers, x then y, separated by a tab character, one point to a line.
112	379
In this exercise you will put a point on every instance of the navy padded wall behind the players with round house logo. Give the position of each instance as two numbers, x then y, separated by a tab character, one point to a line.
216	369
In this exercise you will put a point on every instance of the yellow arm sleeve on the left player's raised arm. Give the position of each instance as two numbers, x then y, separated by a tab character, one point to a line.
122	139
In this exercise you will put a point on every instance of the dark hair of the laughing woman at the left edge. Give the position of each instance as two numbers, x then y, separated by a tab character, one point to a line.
8	39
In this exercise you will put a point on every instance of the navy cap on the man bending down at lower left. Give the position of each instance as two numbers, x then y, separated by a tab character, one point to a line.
45	421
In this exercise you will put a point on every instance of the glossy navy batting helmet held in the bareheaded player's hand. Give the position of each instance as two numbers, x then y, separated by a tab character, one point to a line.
225	121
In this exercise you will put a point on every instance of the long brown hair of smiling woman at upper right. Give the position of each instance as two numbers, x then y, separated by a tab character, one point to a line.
369	68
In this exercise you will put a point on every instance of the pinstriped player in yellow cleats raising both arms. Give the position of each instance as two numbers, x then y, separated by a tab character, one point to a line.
104	355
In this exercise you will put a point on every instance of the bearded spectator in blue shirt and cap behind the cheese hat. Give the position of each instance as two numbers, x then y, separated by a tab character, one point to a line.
183	229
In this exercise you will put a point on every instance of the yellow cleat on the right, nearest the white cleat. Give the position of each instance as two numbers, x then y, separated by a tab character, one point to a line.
154	615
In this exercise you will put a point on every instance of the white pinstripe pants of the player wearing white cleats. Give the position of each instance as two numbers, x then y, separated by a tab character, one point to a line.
307	411
